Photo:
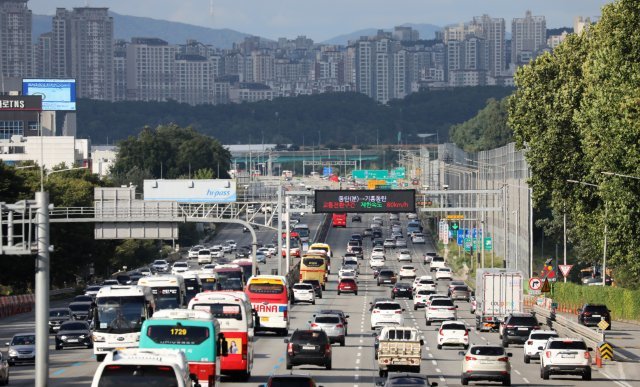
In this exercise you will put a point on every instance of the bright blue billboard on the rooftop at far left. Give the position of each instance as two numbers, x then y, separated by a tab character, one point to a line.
57	94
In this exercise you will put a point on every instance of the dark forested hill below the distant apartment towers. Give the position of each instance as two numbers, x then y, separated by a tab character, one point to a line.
340	117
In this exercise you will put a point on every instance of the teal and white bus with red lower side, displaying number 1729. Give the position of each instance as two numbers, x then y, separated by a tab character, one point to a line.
194	332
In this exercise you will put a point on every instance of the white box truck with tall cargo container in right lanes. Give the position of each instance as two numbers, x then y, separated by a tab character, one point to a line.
498	293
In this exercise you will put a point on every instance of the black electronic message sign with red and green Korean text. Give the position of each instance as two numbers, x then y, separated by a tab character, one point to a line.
365	201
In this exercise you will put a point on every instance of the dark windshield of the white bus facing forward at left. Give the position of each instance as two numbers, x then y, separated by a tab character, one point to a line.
120	314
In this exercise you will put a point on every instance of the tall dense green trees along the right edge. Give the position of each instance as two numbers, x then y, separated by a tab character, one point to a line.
575	111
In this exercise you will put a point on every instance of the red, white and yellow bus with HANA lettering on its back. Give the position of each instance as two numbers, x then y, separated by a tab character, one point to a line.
269	296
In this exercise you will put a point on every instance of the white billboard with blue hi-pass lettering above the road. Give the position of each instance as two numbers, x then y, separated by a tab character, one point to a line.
191	191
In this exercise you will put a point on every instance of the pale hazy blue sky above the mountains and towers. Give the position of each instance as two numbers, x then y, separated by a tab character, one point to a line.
324	19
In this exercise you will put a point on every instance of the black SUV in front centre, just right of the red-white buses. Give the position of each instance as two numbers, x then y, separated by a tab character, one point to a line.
308	347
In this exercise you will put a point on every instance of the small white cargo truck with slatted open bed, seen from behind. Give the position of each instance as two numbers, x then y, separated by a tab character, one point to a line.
399	349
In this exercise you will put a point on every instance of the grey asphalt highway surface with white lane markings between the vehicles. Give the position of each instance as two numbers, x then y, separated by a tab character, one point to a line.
354	364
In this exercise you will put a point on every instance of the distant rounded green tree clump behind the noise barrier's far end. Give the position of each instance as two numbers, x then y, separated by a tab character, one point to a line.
487	130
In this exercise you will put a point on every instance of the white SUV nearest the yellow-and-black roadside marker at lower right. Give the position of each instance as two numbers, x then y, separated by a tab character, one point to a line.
565	356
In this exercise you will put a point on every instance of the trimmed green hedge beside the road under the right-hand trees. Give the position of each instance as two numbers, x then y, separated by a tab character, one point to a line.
623	303
